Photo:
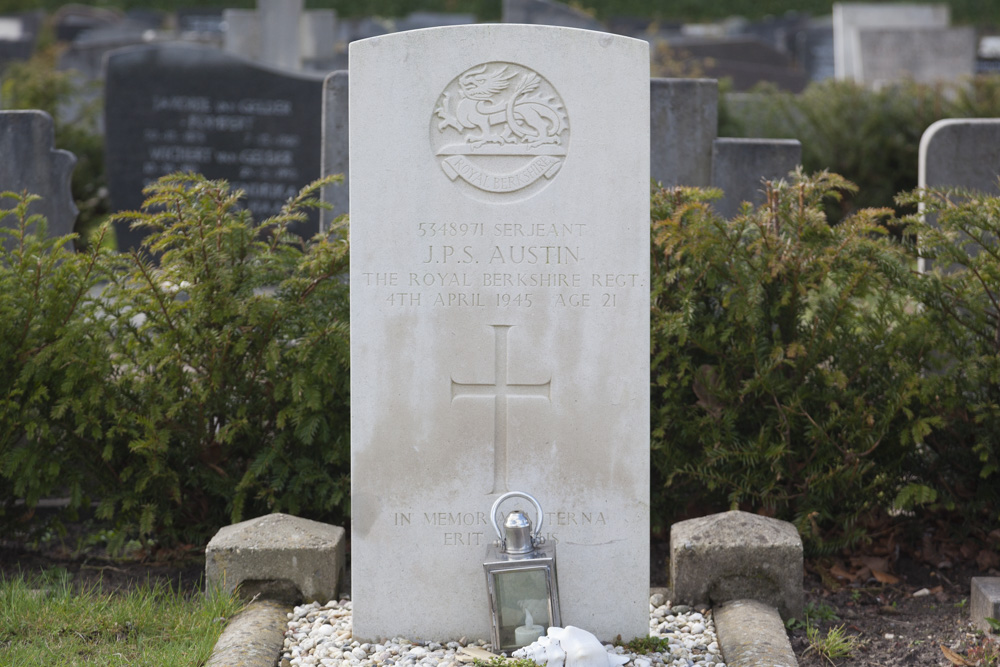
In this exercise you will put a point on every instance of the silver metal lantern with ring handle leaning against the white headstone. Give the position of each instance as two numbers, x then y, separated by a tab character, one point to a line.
520	579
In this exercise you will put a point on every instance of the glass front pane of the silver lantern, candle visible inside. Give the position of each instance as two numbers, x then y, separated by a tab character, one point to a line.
522	599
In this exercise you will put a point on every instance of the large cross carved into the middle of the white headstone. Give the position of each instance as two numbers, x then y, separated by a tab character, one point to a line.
500	390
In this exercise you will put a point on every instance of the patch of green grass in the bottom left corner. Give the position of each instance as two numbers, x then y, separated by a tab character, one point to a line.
46	621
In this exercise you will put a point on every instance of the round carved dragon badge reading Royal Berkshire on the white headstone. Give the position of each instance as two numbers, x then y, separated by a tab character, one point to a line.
500	128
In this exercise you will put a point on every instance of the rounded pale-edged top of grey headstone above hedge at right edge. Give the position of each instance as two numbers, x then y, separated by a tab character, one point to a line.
961	152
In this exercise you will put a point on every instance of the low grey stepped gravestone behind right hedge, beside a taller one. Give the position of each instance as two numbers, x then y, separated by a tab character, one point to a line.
740	165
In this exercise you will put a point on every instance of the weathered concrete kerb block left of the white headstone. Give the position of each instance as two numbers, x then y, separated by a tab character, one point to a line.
278	557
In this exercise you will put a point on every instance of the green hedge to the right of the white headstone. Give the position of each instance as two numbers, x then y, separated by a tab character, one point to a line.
806	370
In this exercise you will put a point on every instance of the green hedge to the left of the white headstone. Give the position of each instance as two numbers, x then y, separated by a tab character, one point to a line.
203	388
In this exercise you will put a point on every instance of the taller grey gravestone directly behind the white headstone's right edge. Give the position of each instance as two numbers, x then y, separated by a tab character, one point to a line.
683	122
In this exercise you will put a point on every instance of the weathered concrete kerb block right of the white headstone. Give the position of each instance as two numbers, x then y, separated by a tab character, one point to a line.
737	556
